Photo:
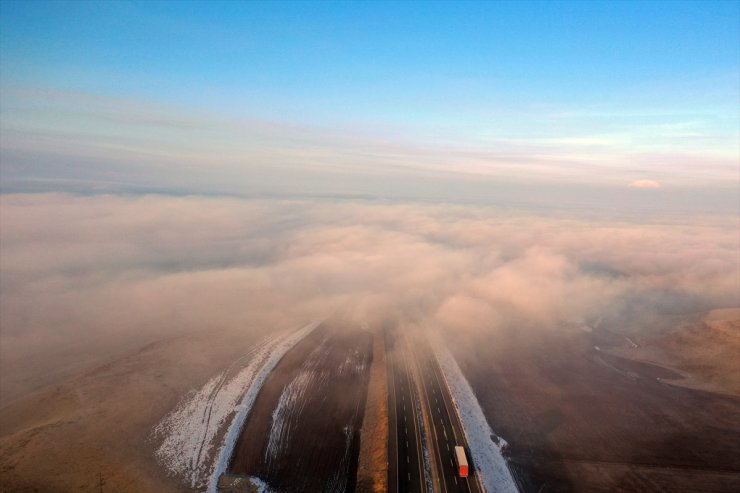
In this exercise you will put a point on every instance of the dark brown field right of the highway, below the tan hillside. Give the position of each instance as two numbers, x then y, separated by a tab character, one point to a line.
578	419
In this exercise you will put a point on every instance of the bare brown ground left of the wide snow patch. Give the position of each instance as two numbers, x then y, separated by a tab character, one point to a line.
64	437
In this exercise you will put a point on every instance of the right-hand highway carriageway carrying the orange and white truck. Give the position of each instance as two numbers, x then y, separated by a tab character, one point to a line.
446	429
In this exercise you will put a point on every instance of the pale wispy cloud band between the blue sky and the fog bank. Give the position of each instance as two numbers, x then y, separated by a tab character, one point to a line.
55	137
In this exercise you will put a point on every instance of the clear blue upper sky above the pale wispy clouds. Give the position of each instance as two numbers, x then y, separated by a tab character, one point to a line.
355	53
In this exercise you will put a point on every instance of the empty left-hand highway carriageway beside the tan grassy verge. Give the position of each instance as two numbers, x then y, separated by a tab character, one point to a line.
405	468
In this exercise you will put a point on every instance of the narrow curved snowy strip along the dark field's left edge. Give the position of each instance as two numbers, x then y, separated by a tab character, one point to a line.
281	346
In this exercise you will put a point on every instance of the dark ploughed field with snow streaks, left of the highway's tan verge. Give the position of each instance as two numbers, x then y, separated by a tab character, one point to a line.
302	433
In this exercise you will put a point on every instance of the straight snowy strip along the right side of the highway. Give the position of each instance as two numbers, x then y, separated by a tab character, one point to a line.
487	457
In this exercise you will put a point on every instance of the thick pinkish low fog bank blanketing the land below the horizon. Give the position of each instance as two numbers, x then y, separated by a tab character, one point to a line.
83	274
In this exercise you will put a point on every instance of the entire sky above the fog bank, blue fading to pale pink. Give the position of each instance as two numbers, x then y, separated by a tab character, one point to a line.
550	102
